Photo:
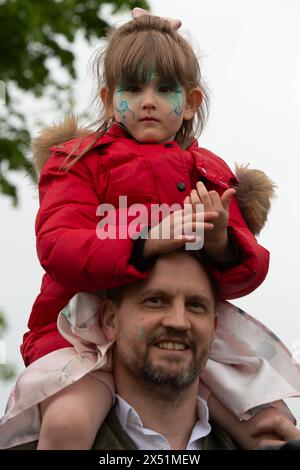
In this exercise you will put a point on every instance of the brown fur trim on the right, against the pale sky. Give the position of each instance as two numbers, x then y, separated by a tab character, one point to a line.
254	194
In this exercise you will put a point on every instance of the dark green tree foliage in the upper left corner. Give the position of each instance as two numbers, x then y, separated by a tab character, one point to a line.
32	33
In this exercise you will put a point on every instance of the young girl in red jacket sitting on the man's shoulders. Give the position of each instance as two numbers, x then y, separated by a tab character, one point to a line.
144	148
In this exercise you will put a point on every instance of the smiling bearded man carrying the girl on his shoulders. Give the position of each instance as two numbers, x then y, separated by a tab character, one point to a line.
163	328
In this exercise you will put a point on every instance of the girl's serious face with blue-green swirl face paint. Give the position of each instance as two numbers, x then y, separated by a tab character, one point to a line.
152	111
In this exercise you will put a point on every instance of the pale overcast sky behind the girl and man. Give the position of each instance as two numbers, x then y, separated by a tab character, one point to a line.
251	63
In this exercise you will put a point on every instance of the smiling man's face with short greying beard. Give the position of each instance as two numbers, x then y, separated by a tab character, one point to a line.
164	326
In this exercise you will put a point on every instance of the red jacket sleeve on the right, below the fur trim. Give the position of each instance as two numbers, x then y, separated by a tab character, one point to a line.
246	276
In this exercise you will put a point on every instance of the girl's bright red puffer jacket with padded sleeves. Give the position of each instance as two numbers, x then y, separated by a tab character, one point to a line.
75	259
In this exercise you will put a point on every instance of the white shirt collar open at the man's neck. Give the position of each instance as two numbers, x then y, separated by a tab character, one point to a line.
146	439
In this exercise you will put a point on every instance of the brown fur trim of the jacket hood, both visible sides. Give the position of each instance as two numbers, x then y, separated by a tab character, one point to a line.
254	192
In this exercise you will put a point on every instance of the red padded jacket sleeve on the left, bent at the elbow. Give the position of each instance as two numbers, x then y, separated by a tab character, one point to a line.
67	242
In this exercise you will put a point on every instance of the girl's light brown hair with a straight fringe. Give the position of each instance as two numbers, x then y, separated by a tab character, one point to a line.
133	52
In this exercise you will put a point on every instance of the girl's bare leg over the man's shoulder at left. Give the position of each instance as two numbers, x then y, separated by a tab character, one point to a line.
72	417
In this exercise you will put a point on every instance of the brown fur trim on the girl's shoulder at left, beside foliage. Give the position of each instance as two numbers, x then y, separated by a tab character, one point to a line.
57	134
